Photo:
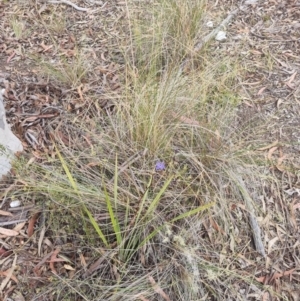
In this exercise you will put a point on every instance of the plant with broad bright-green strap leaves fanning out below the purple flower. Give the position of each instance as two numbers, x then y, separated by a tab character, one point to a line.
129	235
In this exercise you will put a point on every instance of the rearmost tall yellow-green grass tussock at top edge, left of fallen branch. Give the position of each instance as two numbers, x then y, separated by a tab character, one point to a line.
165	34
